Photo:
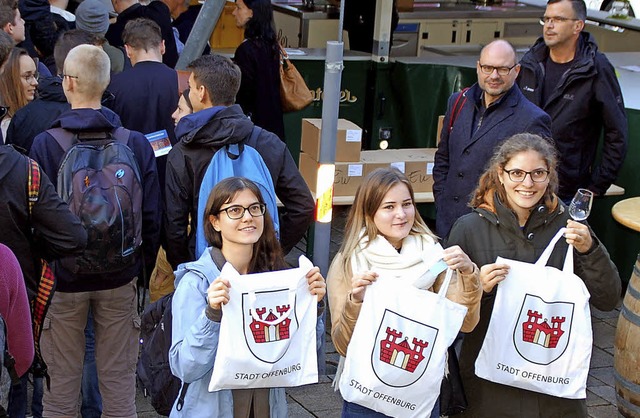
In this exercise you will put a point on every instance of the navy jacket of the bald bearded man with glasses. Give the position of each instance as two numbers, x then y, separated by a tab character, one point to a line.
465	150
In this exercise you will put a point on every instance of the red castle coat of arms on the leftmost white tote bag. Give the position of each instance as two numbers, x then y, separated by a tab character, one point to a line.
269	322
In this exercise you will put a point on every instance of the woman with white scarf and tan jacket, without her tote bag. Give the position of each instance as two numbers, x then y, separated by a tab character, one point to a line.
386	236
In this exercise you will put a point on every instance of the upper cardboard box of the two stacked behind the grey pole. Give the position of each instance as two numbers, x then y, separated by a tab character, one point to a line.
348	140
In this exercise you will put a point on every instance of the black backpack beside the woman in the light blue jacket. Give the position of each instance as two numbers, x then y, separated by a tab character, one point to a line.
153	368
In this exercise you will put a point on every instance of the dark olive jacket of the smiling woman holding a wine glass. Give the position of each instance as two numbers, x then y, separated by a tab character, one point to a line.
493	230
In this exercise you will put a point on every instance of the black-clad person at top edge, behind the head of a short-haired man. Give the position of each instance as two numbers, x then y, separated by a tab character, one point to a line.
156	11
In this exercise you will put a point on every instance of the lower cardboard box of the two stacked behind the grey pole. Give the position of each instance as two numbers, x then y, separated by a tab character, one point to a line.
348	176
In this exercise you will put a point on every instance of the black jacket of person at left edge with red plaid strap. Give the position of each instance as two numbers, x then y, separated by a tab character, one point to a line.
51	231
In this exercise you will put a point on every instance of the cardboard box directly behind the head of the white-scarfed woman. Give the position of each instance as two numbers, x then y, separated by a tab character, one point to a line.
415	163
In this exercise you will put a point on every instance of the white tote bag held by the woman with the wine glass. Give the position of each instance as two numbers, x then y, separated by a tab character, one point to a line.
539	337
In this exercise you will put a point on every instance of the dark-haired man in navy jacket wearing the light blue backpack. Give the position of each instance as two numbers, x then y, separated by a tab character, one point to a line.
216	121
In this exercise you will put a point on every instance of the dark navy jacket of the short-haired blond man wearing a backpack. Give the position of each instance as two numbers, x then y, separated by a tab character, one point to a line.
49	154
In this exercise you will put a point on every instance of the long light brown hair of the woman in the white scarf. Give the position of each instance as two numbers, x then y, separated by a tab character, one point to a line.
368	199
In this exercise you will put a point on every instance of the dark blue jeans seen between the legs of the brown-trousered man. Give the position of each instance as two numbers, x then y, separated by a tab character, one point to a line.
91	399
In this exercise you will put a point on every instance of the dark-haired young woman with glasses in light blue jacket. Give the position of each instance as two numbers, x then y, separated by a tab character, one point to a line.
239	231
